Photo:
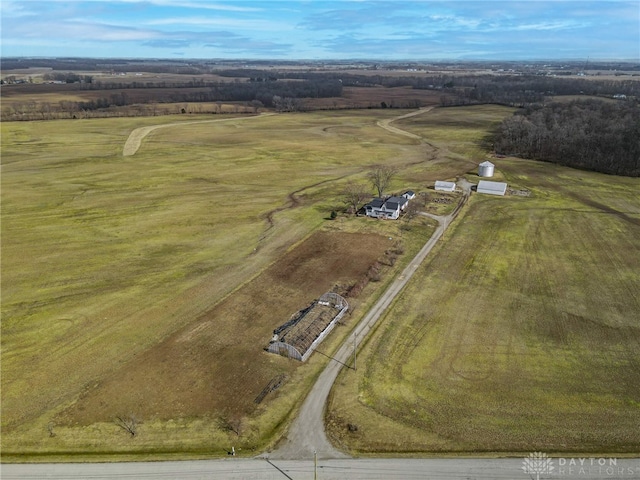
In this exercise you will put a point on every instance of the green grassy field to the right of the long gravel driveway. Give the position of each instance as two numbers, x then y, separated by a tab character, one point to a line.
521	333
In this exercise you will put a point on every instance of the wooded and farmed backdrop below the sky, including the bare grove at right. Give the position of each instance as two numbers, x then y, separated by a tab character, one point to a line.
598	133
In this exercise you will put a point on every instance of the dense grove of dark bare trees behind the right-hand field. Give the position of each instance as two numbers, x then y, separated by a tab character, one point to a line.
602	136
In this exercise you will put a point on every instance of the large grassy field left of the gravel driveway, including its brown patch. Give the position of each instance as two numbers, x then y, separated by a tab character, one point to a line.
128	281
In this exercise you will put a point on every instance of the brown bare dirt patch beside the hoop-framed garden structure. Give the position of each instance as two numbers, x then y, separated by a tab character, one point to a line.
217	364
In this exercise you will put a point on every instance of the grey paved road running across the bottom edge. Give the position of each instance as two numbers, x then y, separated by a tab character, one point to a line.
351	469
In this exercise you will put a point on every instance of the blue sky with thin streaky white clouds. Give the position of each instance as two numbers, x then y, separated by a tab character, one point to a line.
346	29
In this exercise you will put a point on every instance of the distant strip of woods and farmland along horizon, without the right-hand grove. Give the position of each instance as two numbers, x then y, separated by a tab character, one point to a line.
112	89
